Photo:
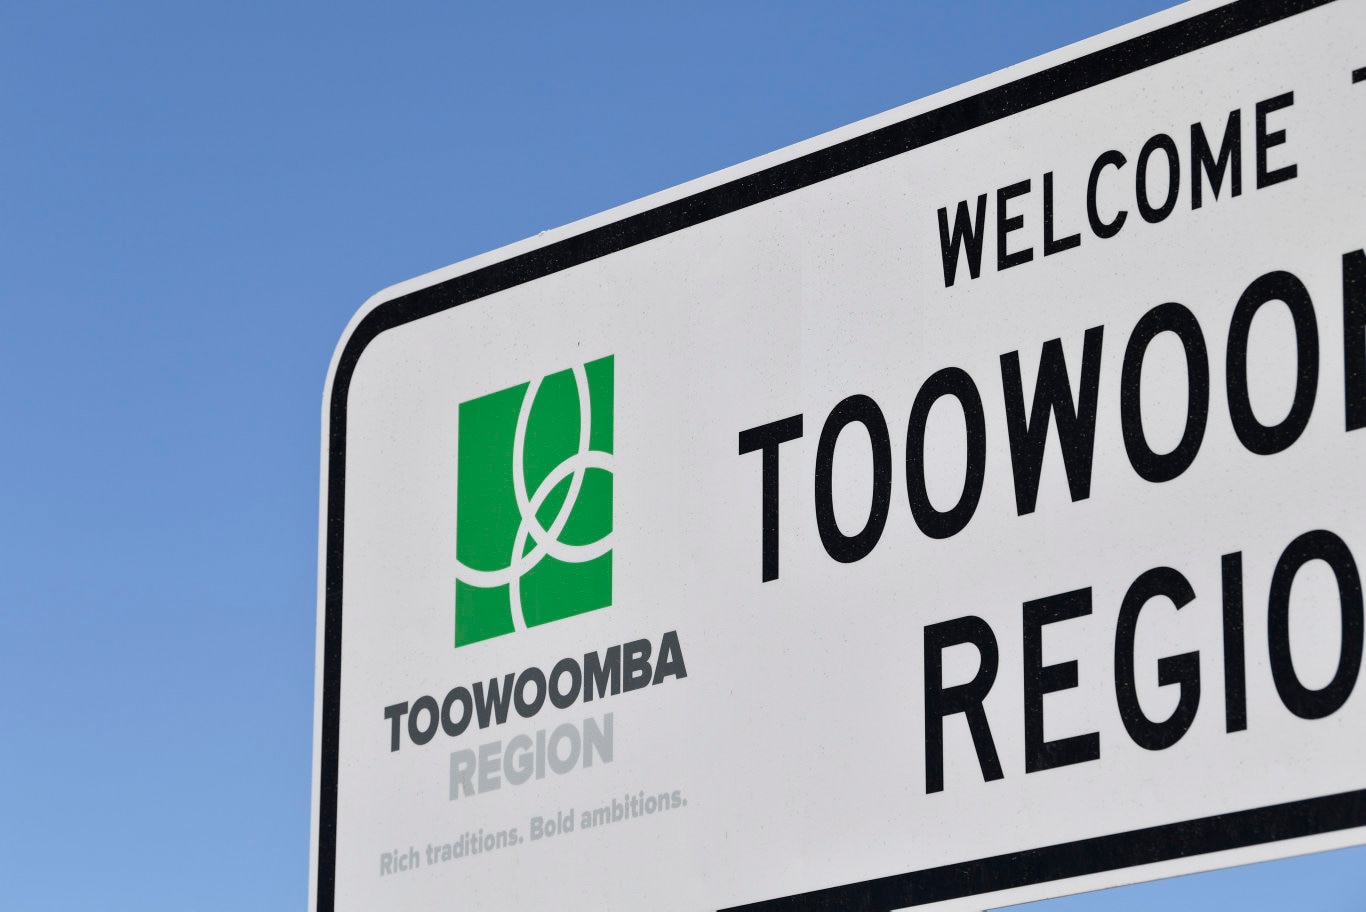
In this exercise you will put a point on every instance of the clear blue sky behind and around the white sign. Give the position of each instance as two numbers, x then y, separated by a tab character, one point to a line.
195	199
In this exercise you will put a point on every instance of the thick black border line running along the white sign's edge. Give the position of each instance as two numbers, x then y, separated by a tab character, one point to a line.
968	879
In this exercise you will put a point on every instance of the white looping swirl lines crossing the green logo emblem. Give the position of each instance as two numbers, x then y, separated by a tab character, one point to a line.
547	540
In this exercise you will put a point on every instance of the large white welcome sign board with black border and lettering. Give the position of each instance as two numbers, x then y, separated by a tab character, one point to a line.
962	507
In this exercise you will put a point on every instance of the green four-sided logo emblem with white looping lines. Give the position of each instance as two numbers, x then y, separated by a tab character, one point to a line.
533	533
